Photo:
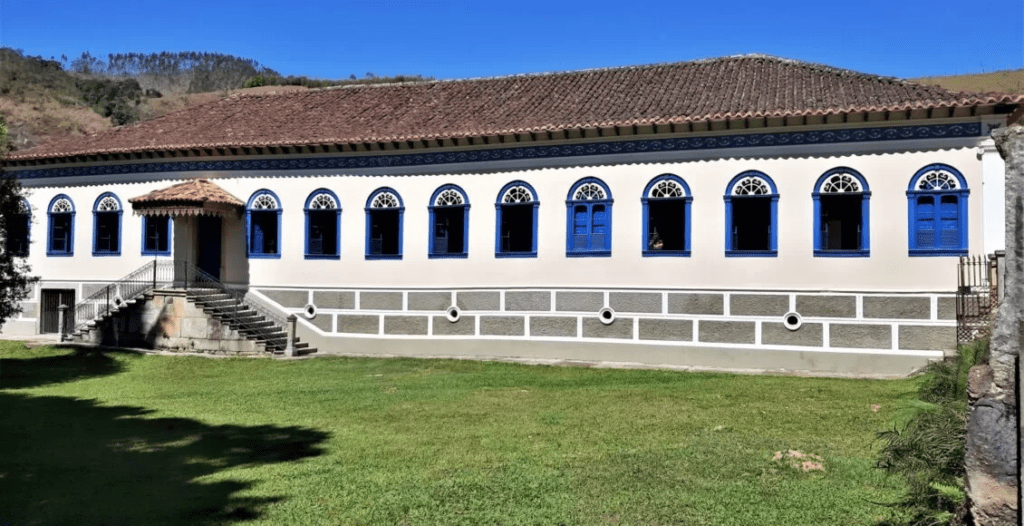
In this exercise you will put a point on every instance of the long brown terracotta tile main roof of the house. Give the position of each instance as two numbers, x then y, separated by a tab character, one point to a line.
747	86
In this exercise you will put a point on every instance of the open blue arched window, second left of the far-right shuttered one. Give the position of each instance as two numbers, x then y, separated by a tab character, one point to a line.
751	216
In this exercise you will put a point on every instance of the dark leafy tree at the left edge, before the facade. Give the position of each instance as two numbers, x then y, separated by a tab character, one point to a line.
16	281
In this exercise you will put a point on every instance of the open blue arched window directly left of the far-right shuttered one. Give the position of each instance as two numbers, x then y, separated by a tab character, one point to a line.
842	223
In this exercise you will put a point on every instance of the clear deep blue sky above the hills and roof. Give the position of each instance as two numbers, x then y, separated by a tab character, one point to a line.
457	39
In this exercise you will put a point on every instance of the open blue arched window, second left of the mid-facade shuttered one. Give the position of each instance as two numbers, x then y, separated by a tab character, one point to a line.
449	223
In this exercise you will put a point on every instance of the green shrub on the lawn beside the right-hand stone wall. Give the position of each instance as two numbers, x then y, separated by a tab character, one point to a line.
926	445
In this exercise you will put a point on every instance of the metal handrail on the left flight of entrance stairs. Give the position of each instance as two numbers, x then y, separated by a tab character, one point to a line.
117	294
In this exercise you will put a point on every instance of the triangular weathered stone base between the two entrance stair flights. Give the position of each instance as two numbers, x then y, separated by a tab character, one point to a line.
167	321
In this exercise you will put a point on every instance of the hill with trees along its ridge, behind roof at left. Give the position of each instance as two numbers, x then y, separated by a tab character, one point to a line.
48	100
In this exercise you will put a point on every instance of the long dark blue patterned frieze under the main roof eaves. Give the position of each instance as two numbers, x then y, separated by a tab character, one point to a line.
521	153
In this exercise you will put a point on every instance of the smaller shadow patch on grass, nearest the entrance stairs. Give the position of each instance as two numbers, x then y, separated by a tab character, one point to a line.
41	371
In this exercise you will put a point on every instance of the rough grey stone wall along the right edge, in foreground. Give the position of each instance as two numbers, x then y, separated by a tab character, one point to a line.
994	436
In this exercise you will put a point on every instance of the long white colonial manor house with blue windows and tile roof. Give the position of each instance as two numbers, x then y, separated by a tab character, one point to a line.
747	212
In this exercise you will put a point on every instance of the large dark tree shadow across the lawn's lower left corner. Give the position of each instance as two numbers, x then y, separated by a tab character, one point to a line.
68	461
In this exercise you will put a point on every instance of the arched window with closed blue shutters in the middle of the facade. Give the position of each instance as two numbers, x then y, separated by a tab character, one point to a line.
588	211
